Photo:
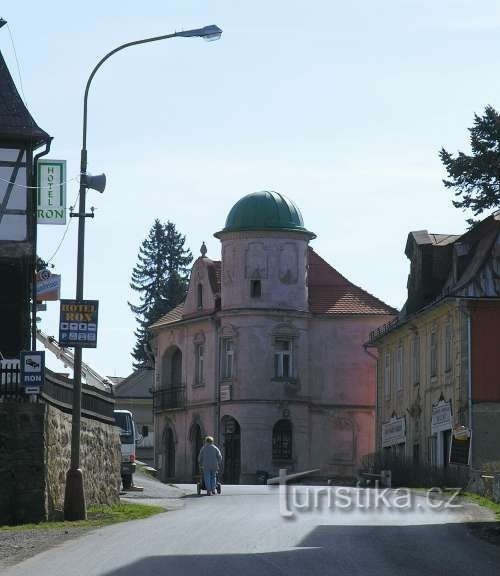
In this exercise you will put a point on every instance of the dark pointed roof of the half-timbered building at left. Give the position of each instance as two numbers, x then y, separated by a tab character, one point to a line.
16	122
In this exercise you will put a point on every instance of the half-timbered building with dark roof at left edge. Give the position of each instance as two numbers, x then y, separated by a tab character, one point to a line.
20	137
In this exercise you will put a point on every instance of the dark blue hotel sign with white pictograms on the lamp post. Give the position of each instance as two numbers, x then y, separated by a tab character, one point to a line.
78	323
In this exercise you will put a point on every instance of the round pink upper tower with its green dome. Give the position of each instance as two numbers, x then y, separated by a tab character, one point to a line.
264	254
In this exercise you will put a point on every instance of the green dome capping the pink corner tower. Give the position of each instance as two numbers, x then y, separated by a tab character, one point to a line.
265	211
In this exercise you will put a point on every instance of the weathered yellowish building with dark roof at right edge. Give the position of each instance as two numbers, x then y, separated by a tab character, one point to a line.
437	365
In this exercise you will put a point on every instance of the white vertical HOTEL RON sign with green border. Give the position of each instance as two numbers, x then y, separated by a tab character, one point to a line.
51	178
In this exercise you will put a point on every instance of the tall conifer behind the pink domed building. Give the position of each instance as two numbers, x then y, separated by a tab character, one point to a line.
161	277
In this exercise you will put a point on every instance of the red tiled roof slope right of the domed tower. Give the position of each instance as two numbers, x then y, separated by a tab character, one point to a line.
331	293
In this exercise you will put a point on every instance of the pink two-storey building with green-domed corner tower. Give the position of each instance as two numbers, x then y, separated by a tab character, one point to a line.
266	354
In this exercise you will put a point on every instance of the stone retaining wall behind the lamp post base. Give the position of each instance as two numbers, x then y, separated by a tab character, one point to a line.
35	444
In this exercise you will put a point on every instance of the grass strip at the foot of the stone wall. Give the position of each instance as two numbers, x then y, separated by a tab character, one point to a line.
98	516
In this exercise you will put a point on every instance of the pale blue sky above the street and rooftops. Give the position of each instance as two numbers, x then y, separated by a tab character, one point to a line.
341	106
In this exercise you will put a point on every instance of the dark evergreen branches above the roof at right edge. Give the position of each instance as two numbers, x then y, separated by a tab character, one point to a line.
476	178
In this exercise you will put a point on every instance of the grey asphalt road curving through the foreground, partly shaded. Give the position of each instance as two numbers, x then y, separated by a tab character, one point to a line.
242	532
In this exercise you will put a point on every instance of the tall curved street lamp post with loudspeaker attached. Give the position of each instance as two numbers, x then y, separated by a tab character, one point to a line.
74	497
